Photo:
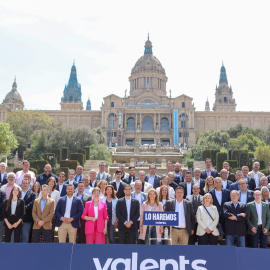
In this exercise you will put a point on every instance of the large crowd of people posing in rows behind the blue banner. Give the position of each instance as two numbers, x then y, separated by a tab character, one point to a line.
91	208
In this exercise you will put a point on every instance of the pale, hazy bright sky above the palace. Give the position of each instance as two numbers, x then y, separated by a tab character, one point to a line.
41	39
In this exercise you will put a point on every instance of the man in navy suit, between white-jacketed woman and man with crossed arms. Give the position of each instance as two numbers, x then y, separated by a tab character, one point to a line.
220	196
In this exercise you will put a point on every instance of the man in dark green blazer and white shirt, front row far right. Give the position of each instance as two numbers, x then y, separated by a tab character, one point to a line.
258	220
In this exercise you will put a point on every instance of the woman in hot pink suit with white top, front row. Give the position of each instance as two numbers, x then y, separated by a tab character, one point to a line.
95	214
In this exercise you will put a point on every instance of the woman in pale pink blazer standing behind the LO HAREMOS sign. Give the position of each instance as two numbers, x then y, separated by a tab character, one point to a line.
151	204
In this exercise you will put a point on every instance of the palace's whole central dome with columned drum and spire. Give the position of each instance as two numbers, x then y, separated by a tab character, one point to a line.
148	74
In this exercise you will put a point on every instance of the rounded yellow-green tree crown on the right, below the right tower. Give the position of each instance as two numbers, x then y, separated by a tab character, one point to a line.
246	142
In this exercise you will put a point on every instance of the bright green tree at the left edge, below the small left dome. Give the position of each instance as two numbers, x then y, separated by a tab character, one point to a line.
7	138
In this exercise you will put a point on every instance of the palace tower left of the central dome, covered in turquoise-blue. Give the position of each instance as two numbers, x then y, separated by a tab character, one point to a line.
72	95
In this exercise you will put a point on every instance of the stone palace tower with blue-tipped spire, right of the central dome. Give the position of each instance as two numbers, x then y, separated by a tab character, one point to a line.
224	101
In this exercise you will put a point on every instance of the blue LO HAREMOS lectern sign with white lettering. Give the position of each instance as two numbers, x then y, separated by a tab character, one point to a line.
160	218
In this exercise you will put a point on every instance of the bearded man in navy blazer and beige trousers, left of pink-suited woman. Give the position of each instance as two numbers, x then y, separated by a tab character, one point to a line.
68	212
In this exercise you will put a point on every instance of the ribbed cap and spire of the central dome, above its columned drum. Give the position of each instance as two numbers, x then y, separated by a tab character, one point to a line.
148	62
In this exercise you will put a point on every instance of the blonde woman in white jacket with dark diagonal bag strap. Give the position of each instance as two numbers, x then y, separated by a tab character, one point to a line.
207	218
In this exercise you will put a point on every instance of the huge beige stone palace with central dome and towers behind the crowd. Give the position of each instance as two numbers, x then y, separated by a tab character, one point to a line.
149	114
